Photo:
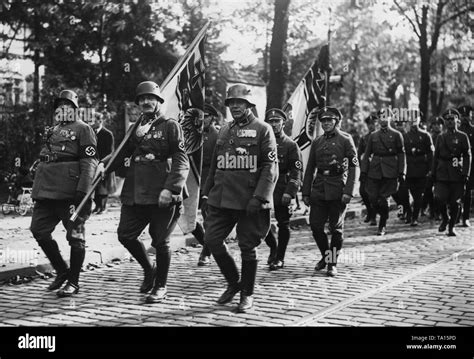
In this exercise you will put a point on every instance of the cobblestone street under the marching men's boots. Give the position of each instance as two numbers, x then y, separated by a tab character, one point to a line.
407	278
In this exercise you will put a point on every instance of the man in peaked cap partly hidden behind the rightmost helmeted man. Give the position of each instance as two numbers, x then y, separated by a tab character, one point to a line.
290	168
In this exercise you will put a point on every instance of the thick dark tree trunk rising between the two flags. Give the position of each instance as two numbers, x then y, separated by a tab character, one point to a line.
278	72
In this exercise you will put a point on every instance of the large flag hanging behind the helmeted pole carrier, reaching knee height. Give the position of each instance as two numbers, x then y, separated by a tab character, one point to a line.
184	89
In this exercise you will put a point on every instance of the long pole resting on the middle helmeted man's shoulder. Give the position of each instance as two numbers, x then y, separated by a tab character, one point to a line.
128	134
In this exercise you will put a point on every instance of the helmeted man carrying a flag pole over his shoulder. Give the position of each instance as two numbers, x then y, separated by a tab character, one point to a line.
152	192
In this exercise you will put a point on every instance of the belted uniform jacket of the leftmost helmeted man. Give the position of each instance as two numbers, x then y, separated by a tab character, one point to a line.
57	179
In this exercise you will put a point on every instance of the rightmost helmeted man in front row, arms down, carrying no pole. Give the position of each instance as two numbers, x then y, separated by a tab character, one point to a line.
239	190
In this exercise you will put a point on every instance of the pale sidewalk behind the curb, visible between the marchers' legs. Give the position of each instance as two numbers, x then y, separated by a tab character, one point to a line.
20	255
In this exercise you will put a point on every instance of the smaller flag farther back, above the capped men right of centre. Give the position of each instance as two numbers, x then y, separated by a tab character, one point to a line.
309	94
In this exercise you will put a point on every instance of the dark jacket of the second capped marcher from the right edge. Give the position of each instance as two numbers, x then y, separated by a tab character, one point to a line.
419	151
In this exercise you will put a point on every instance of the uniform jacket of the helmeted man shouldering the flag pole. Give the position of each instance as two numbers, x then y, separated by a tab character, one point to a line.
156	161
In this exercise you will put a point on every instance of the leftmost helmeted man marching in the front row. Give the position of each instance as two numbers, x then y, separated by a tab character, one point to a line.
62	179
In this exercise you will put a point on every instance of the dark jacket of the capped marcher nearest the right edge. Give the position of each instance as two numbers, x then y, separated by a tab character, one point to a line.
452	157
